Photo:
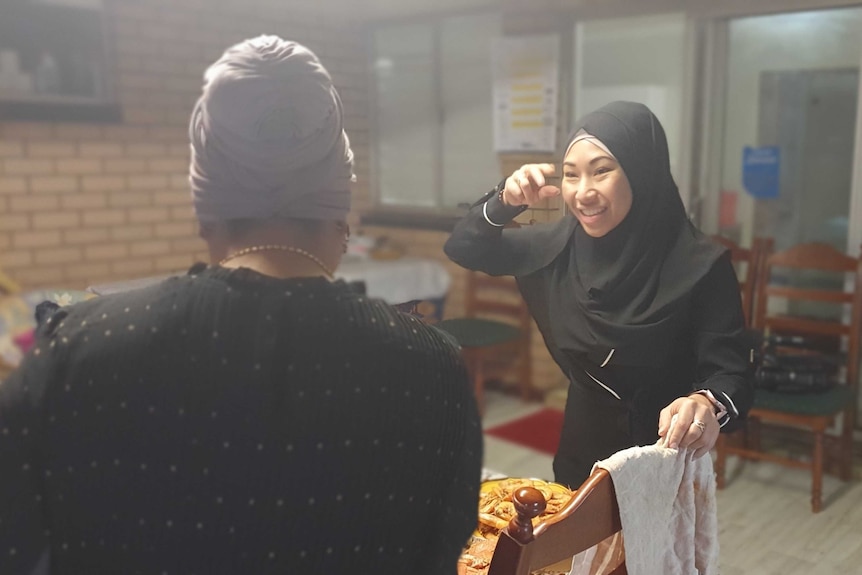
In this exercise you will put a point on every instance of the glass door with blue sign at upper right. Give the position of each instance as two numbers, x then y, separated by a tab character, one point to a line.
791	93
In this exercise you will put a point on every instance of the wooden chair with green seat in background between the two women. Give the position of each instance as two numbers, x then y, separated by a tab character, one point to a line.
495	332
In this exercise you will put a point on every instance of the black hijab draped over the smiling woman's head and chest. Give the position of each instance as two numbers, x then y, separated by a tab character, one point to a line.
628	290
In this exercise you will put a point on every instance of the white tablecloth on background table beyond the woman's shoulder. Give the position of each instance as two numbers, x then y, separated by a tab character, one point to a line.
398	281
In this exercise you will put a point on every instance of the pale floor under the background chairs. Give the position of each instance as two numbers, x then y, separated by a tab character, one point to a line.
765	522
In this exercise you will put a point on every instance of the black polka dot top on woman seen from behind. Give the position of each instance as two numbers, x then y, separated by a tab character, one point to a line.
228	422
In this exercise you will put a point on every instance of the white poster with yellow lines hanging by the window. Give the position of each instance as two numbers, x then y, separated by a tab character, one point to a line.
526	85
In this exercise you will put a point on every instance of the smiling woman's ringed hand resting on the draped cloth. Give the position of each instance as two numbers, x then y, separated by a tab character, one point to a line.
696	426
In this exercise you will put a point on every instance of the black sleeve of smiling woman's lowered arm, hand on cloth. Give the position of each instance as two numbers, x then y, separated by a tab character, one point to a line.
722	344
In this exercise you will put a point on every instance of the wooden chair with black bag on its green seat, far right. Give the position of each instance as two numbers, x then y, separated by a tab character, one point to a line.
814	412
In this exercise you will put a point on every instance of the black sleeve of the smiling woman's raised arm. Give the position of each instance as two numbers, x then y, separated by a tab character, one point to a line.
479	242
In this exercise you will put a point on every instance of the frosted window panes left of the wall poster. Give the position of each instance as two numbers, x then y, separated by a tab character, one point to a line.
434	140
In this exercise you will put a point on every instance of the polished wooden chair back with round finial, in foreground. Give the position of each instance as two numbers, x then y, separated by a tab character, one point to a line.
588	519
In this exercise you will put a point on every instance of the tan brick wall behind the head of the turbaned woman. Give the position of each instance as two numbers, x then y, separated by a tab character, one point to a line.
85	203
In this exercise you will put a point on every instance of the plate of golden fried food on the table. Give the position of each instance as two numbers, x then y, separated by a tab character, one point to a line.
496	509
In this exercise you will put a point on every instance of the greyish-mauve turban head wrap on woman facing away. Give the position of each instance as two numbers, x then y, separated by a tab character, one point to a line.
267	137
